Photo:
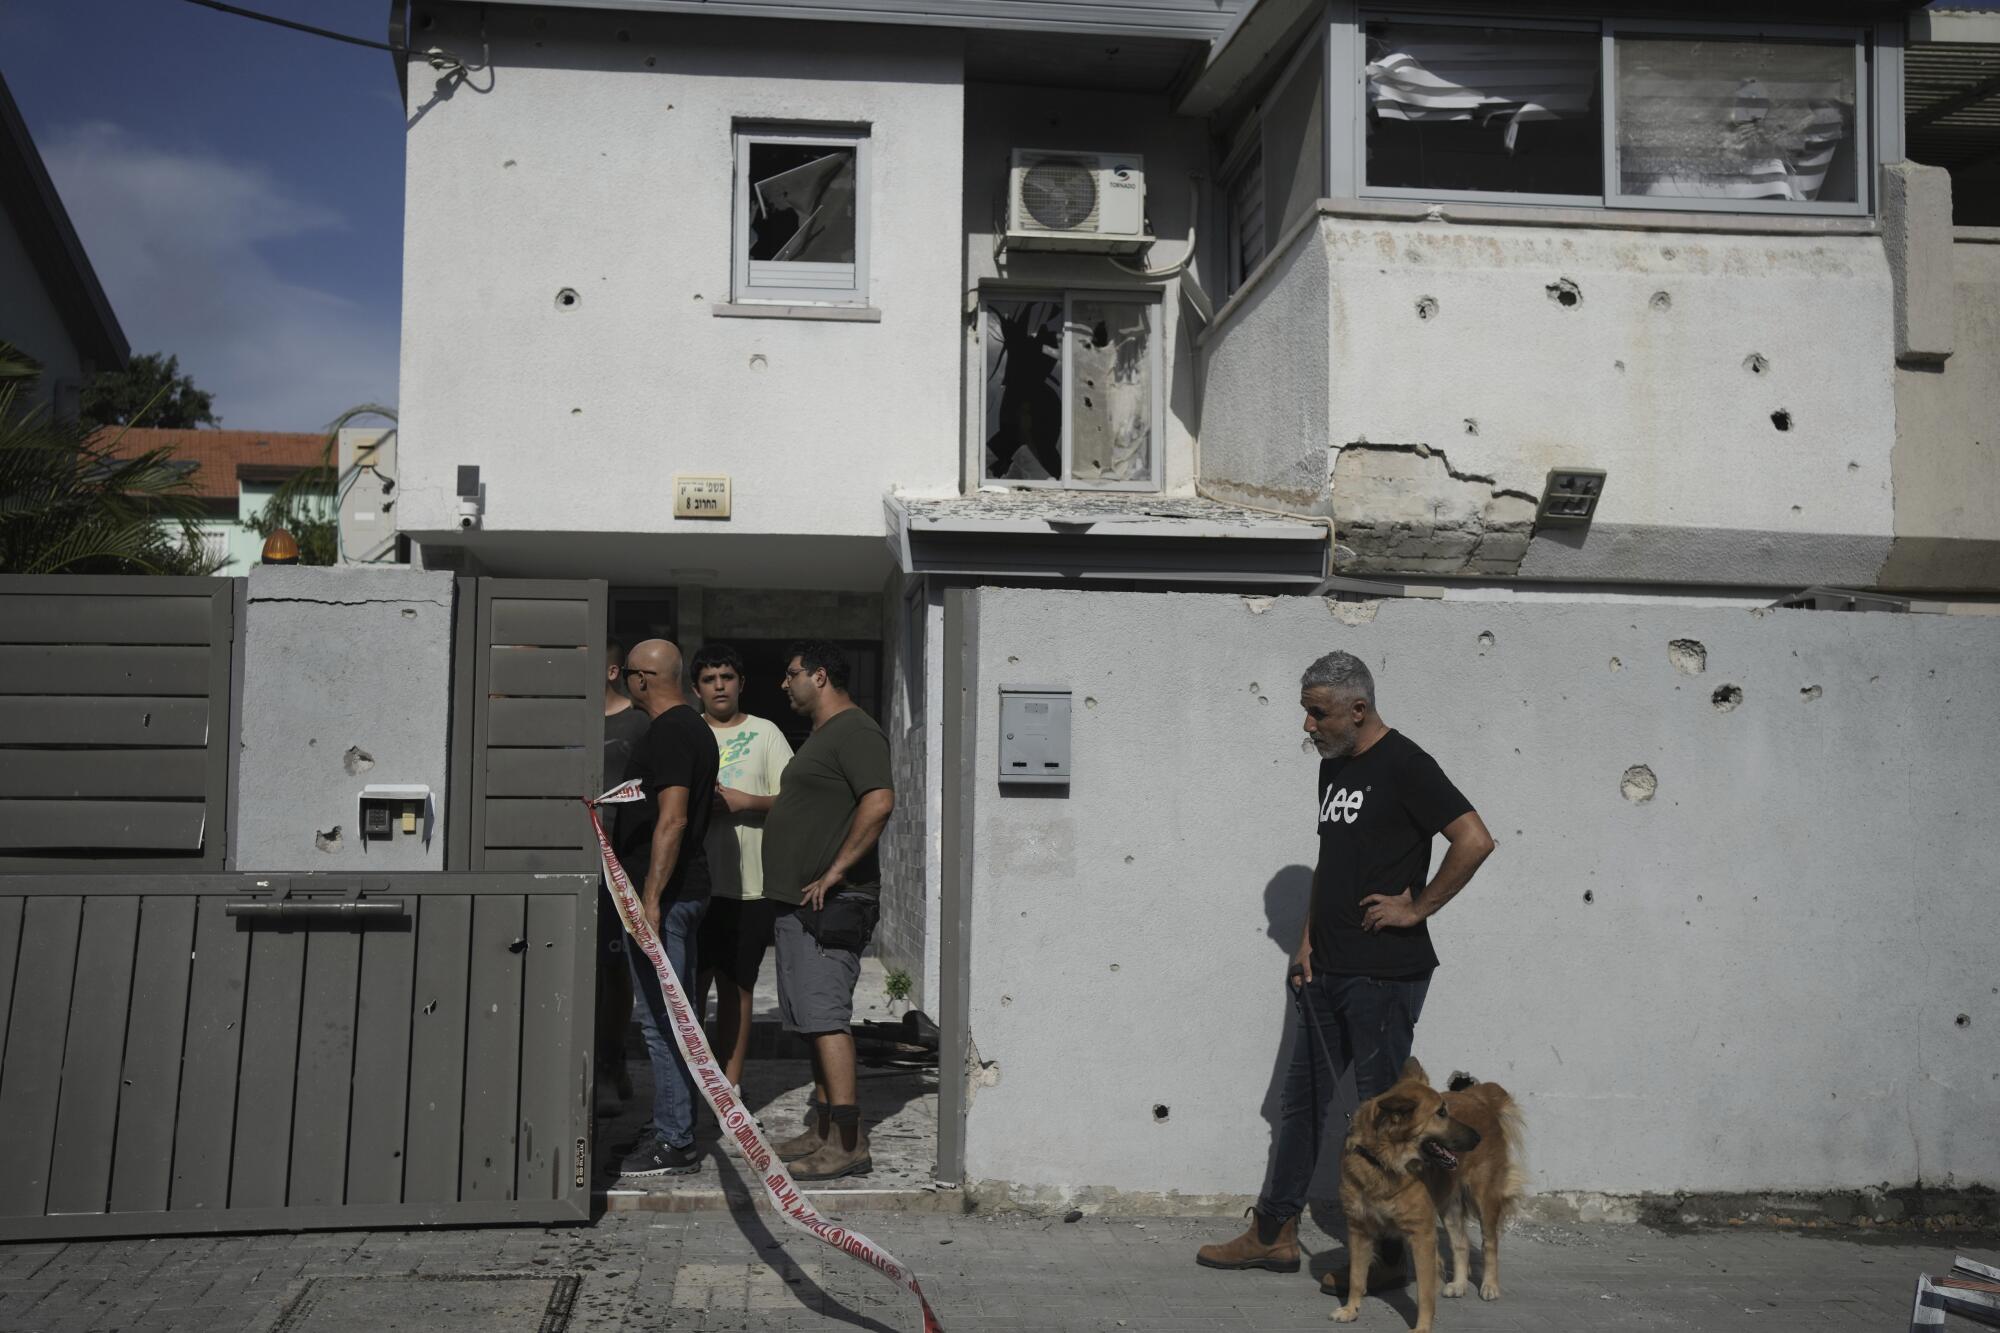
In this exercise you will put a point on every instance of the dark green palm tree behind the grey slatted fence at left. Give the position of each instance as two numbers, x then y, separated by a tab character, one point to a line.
69	505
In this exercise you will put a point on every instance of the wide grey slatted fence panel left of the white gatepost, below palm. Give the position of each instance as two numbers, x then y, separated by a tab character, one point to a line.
115	724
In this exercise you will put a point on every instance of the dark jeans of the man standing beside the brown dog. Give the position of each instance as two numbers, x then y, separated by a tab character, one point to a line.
1337	1022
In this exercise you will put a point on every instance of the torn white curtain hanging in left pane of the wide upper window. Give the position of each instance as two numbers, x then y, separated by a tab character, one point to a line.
1483	81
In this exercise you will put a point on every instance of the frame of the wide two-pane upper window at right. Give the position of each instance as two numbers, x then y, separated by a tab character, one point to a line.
1867	135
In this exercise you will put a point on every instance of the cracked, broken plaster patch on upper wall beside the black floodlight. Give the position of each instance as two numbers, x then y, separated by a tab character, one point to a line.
1405	509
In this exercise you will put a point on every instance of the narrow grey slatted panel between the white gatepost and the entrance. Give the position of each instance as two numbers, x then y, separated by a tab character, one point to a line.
527	724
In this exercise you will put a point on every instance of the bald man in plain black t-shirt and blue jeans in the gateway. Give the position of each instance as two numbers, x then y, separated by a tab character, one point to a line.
659	844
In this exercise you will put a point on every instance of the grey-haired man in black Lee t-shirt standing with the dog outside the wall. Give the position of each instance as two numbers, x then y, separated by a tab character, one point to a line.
1365	960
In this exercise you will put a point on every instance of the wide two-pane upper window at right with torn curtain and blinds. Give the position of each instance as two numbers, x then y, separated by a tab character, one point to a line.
1617	113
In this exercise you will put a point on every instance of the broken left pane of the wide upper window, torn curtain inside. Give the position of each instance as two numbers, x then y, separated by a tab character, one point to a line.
1457	107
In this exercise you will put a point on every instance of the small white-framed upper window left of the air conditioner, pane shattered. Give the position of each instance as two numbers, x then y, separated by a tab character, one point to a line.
801	215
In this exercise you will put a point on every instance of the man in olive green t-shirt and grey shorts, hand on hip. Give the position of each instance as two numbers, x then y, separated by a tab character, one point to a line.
821	866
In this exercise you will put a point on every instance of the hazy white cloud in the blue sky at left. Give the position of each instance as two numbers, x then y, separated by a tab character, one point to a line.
177	243
